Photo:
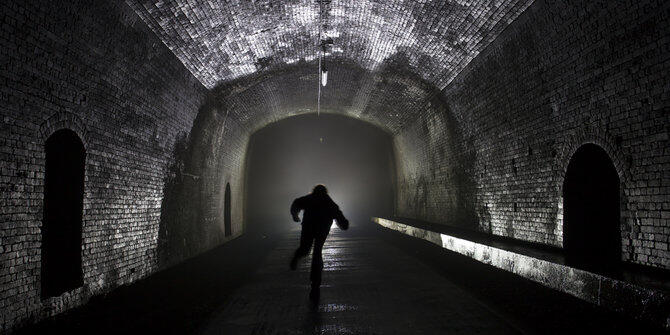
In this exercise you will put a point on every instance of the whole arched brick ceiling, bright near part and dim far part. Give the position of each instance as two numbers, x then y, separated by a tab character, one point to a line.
255	43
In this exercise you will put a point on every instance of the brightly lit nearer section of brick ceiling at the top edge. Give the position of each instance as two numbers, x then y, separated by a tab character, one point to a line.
219	41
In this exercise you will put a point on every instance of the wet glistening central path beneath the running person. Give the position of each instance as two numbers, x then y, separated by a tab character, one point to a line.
369	288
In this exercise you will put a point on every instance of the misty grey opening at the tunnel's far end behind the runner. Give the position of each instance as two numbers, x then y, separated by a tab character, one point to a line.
352	158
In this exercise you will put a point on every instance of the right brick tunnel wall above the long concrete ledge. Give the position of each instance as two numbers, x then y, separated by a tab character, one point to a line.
558	77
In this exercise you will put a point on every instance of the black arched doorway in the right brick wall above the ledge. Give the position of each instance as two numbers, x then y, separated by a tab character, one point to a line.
591	230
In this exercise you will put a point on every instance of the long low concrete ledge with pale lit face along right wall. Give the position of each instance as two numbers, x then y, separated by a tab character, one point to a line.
646	304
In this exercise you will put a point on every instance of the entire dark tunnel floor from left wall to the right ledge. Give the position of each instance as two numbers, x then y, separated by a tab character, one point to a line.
376	281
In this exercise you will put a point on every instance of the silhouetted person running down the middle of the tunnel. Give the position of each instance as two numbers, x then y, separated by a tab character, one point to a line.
319	212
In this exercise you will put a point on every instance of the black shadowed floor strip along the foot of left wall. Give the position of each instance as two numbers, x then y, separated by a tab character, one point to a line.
174	301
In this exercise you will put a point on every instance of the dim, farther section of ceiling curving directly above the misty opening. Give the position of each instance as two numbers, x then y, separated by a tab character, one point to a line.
389	97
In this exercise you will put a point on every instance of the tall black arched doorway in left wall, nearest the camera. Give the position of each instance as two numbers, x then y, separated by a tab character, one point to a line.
61	269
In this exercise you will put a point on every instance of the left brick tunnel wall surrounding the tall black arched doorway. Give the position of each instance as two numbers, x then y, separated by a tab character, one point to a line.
98	70
